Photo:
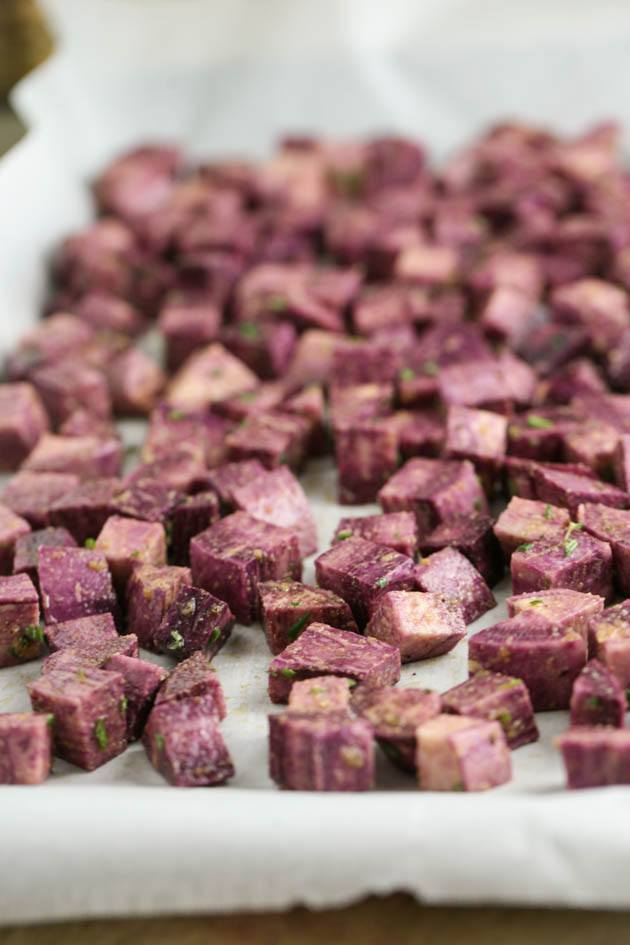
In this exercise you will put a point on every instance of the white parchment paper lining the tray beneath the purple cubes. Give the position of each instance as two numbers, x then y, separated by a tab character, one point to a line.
118	841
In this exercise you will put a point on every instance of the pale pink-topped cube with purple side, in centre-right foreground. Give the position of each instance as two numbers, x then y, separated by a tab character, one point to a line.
421	625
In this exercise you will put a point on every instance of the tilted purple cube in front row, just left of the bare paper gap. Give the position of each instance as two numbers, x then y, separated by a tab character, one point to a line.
184	744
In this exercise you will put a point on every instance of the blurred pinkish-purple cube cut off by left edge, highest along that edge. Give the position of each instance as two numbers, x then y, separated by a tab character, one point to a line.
23	421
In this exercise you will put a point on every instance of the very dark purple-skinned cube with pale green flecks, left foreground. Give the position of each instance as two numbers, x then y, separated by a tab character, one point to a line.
195	621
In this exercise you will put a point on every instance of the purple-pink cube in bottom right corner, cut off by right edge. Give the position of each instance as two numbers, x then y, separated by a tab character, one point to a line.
595	757
